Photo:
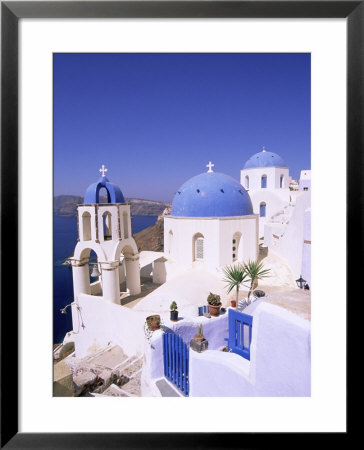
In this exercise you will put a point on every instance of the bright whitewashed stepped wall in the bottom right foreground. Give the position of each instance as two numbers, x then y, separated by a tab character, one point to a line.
280	363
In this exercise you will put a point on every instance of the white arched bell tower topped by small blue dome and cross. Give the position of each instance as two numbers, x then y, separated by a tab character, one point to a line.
104	226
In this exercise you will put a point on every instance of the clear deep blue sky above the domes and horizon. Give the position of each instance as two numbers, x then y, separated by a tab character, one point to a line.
156	120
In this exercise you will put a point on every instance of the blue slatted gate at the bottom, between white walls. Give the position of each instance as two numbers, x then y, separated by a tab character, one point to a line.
176	358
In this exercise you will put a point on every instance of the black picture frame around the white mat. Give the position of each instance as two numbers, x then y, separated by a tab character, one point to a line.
11	12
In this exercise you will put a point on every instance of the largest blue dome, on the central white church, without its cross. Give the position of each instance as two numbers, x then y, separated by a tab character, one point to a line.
211	194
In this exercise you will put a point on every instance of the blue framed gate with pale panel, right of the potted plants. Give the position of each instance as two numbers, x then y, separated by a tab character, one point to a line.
240	333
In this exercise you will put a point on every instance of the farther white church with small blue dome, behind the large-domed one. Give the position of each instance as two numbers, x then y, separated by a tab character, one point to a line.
266	177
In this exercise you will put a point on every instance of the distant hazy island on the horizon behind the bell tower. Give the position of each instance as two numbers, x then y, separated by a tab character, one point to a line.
66	205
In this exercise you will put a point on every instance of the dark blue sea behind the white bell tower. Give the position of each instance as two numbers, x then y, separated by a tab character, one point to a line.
64	242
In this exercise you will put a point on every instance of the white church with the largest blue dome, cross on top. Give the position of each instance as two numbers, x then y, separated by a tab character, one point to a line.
212	223
